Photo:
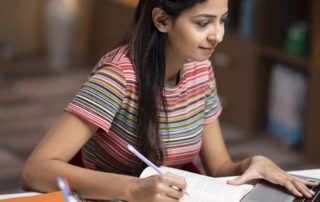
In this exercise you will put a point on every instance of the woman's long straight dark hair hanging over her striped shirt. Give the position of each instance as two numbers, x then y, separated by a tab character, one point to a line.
147	52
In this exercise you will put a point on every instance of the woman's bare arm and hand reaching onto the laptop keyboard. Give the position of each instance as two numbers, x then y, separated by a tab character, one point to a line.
217	162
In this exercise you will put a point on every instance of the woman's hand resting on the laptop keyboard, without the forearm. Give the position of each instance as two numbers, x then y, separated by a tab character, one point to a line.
261	167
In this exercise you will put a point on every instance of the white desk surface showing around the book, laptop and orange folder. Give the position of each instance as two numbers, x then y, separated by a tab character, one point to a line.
314	173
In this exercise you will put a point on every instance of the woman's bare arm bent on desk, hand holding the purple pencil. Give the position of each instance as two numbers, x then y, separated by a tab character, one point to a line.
49	160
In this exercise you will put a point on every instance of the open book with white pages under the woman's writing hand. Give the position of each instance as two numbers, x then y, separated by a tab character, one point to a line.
203	188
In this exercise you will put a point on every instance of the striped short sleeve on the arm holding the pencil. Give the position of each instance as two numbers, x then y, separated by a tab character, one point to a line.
100	97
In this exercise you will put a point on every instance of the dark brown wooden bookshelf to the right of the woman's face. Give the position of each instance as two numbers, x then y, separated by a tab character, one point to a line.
249	109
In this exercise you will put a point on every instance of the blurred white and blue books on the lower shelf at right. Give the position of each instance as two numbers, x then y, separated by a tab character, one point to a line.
288	88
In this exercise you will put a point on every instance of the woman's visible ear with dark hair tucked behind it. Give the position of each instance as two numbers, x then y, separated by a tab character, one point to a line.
160	20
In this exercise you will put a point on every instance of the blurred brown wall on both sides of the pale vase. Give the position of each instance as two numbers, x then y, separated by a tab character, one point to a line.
22	26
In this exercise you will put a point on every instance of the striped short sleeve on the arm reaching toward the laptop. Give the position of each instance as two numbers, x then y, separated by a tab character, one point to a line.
212	104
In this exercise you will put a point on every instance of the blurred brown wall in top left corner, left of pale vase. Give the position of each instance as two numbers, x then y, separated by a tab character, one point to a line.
21	25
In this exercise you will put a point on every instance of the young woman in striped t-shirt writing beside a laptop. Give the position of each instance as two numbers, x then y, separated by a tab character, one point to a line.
157	93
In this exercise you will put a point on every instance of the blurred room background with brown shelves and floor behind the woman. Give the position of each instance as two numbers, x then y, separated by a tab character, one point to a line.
267	71
